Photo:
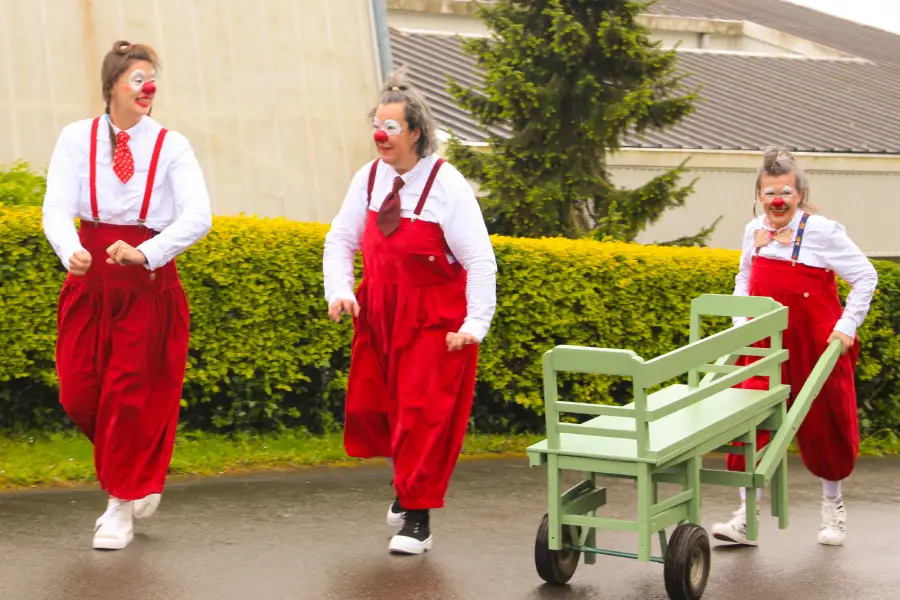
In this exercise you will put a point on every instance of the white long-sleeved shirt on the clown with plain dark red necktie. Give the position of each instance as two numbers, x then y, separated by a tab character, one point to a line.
451	204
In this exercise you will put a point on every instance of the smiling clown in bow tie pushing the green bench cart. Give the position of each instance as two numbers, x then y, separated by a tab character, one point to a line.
793	256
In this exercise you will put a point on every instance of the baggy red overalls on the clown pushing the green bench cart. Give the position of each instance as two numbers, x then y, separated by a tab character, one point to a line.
828	439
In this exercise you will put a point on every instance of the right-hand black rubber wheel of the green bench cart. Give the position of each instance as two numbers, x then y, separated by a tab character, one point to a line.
687	563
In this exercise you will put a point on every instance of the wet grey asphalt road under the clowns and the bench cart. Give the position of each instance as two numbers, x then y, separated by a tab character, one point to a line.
320	534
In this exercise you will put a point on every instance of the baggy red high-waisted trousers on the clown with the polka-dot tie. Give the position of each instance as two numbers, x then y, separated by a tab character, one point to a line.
121	355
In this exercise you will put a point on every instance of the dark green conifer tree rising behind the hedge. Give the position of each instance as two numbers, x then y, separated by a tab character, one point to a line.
568	79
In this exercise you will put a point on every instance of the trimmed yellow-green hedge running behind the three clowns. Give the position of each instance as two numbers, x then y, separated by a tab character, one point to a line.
265	356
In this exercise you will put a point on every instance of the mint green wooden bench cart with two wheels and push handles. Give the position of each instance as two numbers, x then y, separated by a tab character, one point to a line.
661	437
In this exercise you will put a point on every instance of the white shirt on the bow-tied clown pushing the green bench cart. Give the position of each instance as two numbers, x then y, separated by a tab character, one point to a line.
825	245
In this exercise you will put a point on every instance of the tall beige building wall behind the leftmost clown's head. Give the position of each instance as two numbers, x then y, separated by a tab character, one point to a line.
272	94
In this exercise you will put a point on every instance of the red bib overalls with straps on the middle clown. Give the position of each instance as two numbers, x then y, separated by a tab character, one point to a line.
408	397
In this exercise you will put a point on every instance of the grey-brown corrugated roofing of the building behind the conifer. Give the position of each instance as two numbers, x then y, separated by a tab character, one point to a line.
747	101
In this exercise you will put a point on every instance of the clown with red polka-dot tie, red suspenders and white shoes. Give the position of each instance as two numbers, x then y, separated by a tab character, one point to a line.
123	321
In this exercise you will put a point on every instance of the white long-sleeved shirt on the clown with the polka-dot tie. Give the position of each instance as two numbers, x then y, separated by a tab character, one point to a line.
179	207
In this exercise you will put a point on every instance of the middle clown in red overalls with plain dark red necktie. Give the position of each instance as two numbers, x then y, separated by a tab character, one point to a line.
425	302
